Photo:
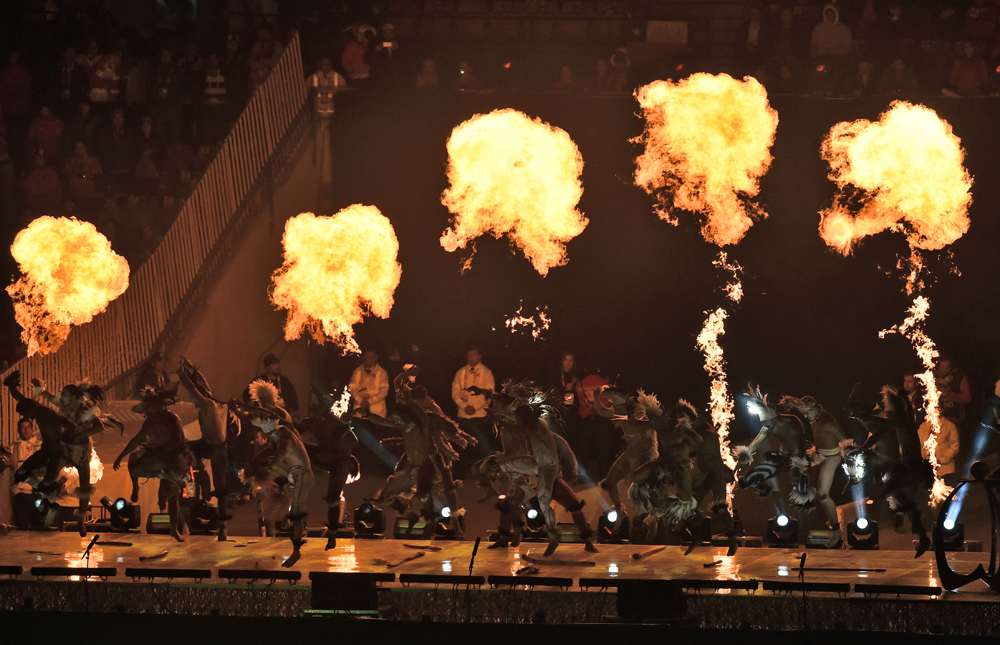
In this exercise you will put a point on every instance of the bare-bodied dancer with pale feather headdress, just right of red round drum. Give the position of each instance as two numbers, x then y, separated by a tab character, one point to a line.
641	446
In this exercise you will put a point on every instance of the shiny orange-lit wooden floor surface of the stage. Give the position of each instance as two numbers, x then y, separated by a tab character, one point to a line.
40	549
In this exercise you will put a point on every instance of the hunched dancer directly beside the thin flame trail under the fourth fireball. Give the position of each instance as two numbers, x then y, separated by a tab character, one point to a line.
714	475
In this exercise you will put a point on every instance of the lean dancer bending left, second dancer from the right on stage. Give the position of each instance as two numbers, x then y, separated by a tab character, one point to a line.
827	438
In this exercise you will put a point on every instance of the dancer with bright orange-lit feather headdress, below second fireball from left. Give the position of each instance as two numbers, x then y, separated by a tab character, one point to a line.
280	473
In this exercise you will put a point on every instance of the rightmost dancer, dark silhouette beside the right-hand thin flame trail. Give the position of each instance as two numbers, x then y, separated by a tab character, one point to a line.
891	454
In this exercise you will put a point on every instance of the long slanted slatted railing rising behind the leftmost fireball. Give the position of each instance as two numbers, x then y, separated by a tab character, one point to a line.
164	289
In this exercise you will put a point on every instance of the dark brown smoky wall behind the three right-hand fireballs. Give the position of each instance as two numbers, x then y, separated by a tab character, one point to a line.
633	296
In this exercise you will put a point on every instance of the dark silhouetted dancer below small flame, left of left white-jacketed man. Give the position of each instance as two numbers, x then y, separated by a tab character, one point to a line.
335	440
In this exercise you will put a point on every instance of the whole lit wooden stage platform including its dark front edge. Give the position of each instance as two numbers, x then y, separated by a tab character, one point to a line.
573	586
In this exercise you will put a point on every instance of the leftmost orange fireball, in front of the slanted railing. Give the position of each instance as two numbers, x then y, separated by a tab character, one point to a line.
70	275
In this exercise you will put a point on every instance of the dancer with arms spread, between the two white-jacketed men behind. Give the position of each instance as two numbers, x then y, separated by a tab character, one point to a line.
429	440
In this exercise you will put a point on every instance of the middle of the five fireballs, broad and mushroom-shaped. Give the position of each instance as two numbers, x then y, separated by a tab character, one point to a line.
518	177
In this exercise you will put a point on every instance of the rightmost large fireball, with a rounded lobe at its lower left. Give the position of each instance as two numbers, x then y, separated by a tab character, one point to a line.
909	167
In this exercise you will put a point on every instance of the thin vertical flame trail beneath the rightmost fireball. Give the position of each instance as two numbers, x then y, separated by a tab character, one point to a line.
912	329
